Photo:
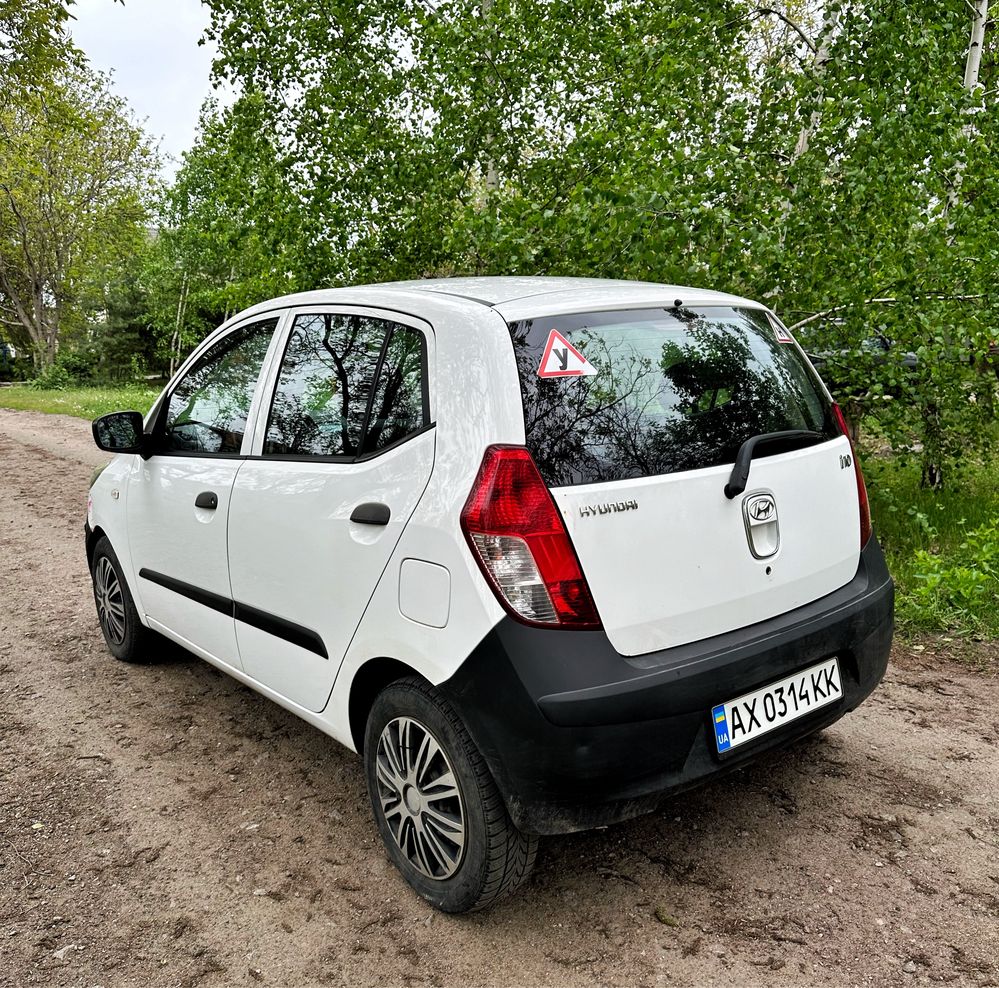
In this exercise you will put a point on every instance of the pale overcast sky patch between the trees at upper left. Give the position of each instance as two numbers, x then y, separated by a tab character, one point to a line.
151	47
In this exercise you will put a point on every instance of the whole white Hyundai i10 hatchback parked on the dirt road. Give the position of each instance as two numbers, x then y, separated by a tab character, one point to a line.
543	550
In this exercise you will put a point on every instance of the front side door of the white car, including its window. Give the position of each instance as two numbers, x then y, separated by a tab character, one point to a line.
178	499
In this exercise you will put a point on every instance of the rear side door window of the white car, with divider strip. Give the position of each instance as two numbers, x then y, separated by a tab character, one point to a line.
348	385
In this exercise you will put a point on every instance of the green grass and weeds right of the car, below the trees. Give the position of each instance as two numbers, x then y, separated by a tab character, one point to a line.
942	546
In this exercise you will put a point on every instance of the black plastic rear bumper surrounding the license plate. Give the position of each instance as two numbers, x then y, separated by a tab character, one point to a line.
578	736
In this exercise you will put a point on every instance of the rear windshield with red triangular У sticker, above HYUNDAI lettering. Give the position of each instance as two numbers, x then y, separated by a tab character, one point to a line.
645	392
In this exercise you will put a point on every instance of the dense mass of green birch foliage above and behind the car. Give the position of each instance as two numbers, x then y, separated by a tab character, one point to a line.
819	166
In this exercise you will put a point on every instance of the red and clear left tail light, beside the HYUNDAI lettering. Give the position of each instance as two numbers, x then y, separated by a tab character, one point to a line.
517	535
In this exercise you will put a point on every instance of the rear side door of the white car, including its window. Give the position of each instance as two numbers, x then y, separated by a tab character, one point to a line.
342	459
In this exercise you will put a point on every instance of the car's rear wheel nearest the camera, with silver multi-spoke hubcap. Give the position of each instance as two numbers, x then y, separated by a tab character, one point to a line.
437	807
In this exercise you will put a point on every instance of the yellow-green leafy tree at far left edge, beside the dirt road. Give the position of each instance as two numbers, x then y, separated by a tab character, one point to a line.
75	172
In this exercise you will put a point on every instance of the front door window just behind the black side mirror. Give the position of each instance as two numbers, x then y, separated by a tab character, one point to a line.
208	408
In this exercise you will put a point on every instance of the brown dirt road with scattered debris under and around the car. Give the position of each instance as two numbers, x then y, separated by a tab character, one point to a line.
163	825
